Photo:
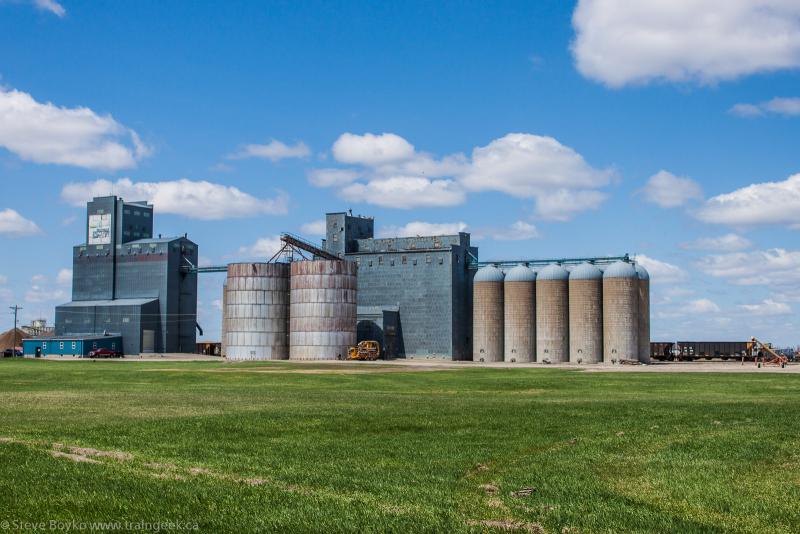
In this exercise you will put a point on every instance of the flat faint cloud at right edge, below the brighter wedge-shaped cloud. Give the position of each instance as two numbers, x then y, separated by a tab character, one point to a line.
773	267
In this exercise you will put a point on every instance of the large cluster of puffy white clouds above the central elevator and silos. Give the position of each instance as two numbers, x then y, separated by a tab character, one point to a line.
391	172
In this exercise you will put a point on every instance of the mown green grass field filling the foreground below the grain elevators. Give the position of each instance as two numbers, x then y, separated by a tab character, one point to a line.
288	447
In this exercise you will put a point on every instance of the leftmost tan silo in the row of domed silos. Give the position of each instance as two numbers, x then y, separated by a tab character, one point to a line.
488	313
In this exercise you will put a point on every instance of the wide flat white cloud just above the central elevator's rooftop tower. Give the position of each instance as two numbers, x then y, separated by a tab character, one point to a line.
405	192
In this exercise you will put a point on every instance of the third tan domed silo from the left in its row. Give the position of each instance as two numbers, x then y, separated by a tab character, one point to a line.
552	314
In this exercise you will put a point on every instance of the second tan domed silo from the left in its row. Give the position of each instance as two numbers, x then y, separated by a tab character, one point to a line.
519	302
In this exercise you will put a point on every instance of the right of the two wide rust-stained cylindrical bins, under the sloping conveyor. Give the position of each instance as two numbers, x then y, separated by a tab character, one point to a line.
323	309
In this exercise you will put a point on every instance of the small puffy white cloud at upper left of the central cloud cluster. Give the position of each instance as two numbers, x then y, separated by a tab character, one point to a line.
371	150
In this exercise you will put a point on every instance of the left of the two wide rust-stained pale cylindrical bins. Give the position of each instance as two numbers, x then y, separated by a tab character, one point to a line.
256	318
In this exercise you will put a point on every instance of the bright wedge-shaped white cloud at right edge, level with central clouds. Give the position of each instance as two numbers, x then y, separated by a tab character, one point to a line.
763	203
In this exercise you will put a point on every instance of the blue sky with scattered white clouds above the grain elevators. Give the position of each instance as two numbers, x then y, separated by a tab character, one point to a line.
547	129
